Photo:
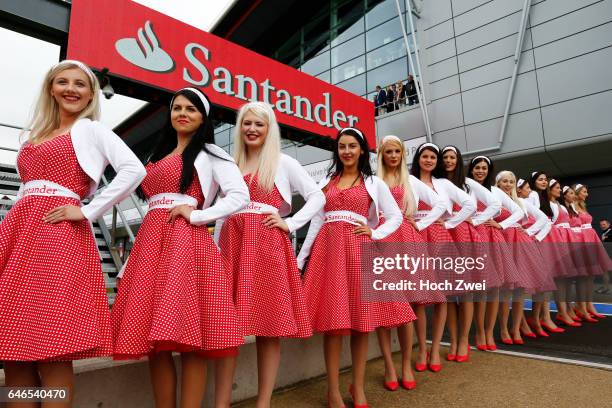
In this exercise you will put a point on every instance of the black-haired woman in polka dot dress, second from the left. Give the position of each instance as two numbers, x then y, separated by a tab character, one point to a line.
174	295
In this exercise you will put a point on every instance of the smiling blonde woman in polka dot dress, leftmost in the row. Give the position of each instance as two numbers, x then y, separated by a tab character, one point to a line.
52	294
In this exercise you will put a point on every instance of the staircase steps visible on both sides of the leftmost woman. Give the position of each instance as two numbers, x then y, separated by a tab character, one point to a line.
9	185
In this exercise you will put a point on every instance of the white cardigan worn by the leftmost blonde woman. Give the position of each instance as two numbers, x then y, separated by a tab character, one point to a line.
96	147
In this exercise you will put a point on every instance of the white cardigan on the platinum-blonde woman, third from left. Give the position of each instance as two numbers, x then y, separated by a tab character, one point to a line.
291	177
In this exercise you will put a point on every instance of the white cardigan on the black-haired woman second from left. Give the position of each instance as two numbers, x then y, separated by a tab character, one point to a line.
217	173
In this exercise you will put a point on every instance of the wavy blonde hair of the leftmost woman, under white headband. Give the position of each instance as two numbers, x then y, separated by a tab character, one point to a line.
46	116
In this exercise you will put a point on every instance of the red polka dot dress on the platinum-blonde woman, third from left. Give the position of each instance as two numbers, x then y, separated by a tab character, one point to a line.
263	270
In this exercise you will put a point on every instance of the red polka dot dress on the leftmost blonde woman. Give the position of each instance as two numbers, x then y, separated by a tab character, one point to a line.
53	303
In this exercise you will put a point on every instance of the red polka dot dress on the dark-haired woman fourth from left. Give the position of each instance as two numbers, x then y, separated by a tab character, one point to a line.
333	276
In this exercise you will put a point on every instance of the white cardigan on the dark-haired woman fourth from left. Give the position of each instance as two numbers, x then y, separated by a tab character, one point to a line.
382	201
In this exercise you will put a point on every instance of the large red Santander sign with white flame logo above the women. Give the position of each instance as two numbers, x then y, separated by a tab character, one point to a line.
136	42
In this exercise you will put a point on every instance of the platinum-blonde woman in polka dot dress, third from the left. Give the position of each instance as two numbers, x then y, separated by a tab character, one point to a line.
255	243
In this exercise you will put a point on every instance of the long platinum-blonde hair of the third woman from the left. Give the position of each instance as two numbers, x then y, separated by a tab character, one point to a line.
270	152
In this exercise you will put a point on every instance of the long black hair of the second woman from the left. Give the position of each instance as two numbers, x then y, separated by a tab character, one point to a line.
167	141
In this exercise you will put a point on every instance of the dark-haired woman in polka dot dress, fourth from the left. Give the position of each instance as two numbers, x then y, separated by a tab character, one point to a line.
333	277
